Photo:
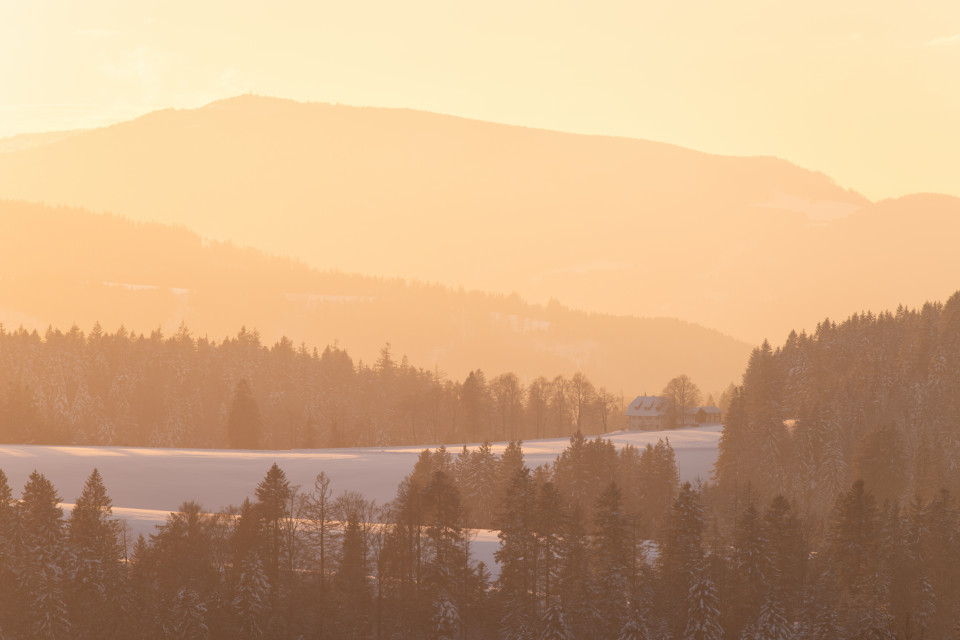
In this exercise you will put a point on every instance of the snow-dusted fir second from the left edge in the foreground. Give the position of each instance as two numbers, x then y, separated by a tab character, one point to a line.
41	558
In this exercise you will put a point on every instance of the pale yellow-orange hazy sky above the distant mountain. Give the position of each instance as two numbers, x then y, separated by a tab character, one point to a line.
867	92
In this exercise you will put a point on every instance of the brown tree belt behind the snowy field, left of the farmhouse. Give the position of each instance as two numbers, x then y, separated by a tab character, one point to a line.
128	389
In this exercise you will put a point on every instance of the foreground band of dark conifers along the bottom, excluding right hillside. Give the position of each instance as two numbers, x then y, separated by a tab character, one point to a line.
601	544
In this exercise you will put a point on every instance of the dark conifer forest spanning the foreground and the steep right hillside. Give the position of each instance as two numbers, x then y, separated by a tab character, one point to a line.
831	514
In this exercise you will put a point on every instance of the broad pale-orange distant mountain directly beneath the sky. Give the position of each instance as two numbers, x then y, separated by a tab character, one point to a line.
751	246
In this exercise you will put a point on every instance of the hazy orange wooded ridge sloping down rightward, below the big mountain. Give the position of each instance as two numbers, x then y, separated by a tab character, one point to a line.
63	266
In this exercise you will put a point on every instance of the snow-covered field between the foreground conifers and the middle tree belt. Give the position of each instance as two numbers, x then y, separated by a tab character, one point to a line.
147	484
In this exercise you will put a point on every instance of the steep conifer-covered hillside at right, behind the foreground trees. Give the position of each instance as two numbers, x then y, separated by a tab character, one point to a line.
873	397
